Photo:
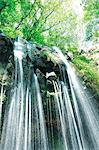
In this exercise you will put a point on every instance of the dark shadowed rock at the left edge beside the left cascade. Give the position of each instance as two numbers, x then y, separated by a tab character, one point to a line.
6	63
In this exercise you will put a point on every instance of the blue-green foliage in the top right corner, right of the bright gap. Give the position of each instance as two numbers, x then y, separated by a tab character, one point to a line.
91	18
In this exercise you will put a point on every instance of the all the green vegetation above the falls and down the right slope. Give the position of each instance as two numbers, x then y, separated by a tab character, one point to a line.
72	26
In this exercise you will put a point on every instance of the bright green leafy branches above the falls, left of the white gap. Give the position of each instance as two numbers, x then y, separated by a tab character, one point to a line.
40	22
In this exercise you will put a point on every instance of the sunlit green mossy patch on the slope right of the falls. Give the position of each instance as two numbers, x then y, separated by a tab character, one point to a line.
88	72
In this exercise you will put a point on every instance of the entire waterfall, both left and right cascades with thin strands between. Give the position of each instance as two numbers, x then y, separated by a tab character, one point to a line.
67	121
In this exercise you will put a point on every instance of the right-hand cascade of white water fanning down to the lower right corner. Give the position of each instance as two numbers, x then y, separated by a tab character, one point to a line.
82	117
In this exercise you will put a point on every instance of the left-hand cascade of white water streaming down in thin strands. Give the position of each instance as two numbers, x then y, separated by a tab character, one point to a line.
18	121
